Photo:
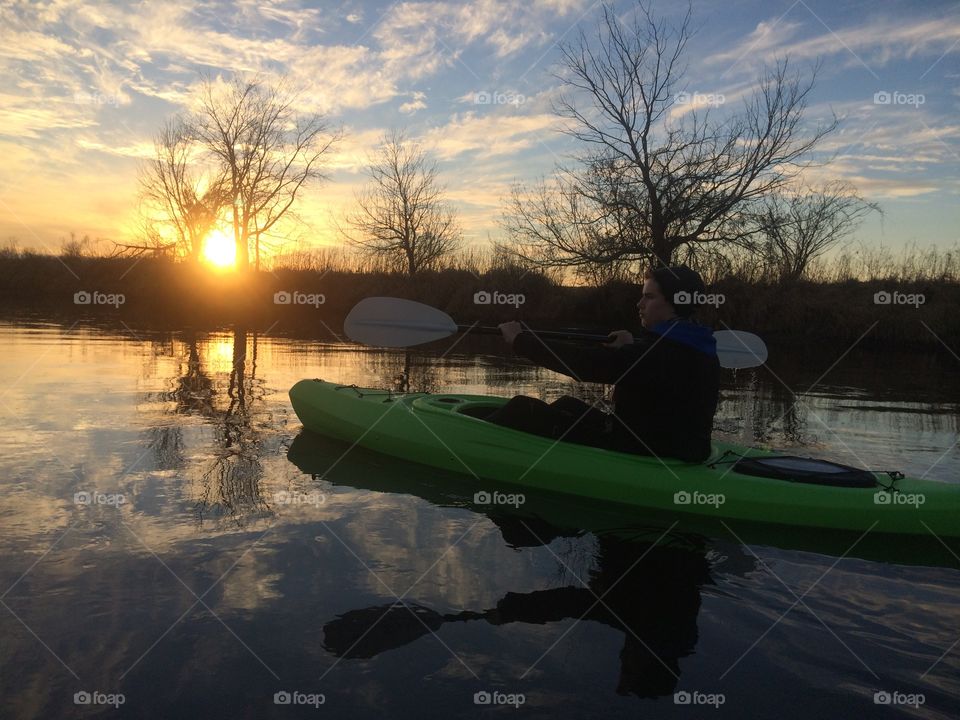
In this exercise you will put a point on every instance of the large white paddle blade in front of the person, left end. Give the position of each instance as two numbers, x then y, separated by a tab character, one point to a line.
394	322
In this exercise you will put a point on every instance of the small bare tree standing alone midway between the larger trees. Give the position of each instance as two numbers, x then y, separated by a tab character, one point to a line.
401	215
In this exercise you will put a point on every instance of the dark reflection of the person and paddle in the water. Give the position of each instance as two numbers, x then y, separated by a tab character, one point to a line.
650	593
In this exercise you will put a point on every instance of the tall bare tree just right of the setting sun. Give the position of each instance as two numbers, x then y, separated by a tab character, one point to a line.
266	152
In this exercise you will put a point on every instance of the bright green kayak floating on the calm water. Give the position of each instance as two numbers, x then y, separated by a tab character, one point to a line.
735	483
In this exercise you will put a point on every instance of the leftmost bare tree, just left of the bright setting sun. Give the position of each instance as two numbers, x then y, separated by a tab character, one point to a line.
175	192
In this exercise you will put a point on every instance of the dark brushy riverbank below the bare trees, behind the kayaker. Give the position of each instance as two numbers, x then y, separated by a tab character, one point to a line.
910	307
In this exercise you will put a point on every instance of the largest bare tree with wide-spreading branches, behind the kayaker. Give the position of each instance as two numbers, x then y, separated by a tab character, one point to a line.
657	174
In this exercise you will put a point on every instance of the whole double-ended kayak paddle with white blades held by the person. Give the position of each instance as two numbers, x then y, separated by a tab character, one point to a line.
395	322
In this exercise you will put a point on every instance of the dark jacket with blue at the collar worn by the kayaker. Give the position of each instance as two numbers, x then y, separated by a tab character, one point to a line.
666	386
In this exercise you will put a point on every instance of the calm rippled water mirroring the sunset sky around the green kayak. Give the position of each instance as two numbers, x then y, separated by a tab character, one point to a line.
172	540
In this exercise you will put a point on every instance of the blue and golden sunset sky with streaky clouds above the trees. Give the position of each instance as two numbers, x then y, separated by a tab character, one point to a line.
85	86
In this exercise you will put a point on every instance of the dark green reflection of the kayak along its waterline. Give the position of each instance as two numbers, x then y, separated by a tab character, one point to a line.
546	516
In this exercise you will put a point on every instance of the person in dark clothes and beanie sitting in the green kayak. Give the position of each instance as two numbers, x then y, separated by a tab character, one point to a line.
666	380
